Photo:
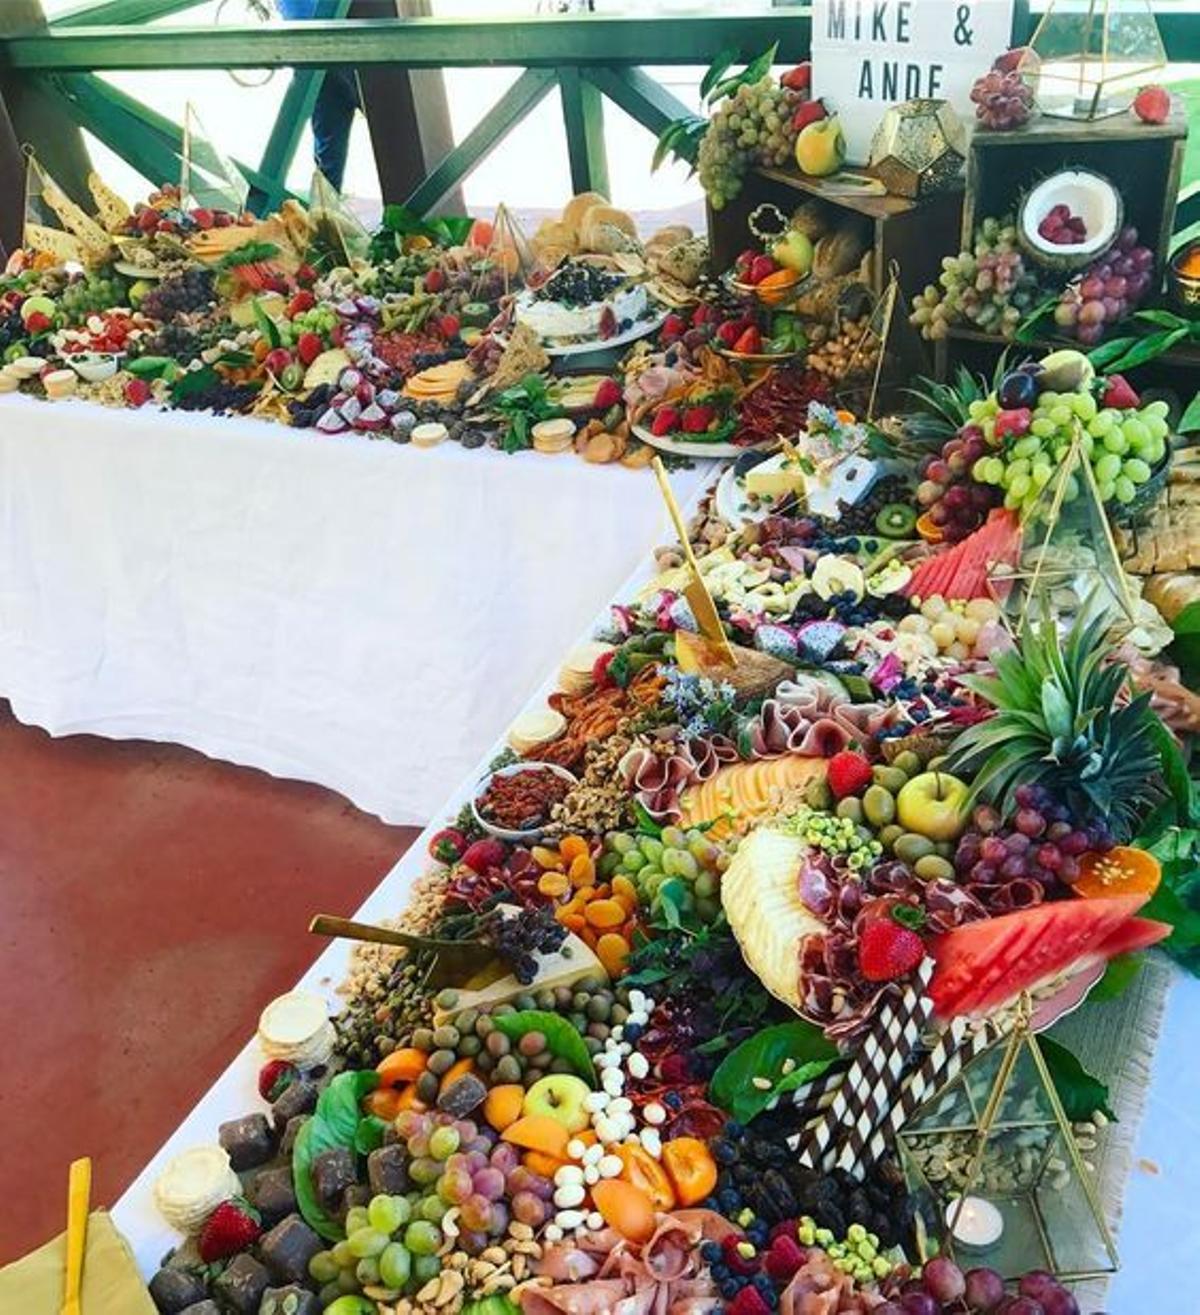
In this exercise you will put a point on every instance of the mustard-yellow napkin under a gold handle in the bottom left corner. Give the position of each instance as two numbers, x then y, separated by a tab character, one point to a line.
112	1285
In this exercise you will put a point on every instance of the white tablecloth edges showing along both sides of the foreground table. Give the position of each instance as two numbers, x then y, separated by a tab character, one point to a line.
1160	1233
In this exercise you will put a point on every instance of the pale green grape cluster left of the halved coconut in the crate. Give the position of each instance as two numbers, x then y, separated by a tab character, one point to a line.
989	287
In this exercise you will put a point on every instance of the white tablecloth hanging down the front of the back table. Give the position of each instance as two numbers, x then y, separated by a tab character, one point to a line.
336	611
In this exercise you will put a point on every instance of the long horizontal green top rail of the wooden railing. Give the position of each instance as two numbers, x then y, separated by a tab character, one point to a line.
547	43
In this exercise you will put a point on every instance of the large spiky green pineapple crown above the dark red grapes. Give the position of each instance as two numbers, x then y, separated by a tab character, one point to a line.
1063	723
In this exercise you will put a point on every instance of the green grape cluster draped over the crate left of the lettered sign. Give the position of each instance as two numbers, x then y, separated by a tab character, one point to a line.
751	127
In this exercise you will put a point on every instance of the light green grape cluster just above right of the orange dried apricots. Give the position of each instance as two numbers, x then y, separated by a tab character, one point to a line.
650	863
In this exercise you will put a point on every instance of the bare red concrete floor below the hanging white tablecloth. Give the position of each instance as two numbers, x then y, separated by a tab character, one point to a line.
152	901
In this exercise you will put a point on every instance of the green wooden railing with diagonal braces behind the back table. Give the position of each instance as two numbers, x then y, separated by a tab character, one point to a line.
587	59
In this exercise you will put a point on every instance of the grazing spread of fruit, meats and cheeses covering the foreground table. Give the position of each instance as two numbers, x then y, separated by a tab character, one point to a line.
724	929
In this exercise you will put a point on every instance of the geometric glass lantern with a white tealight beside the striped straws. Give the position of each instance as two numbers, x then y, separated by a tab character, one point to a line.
998	1180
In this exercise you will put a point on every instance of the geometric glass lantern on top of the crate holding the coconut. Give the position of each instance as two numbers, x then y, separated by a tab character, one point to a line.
1088	59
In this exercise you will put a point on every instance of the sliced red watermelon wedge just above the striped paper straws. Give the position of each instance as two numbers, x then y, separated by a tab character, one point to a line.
988	965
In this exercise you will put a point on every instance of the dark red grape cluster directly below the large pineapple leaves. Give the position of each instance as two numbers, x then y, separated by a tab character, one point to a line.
1039	844
